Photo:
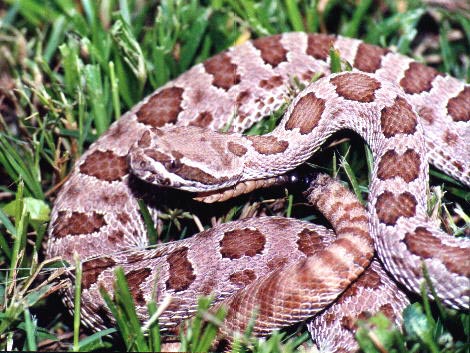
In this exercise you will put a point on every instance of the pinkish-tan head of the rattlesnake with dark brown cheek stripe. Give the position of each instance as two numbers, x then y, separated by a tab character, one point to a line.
188	158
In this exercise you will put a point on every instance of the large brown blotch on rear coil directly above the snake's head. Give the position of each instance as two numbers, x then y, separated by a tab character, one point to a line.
163	108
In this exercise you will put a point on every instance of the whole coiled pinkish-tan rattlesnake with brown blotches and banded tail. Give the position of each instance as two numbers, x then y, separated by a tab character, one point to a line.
409	114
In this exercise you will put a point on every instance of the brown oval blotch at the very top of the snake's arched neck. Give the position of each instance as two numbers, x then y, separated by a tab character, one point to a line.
356	87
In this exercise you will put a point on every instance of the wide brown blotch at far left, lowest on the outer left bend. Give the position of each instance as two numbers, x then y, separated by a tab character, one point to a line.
77	223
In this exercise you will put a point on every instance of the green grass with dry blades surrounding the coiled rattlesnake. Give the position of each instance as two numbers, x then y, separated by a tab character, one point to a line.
69	68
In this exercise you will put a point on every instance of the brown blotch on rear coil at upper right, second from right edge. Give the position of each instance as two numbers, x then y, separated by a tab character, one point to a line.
418	78
